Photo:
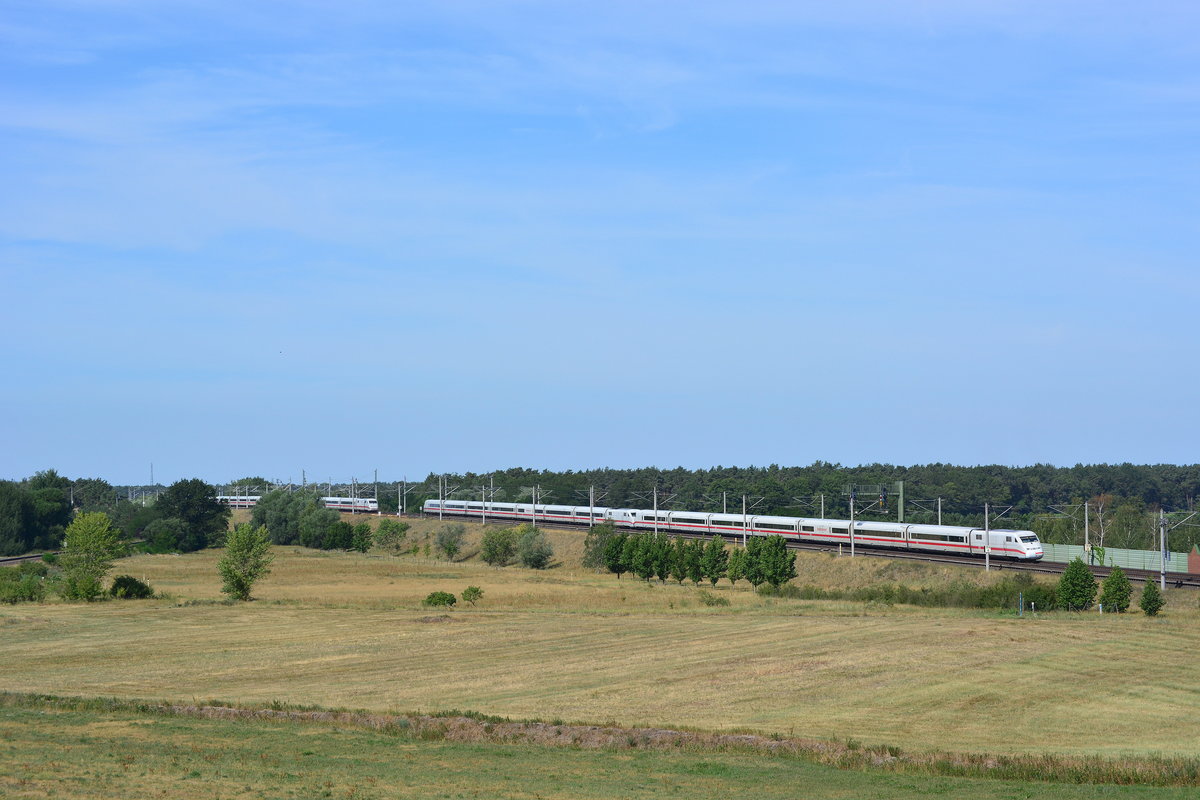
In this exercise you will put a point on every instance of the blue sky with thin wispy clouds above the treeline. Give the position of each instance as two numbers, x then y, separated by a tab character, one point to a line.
263	238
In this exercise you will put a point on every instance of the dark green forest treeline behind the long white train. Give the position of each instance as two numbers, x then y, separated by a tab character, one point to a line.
1124	500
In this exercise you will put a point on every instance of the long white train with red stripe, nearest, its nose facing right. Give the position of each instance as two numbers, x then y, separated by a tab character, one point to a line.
1021	545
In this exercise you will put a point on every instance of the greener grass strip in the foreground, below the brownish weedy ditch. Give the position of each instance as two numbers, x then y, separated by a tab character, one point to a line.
71	754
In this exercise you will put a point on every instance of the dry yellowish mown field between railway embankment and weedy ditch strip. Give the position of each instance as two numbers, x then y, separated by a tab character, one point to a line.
346	630
